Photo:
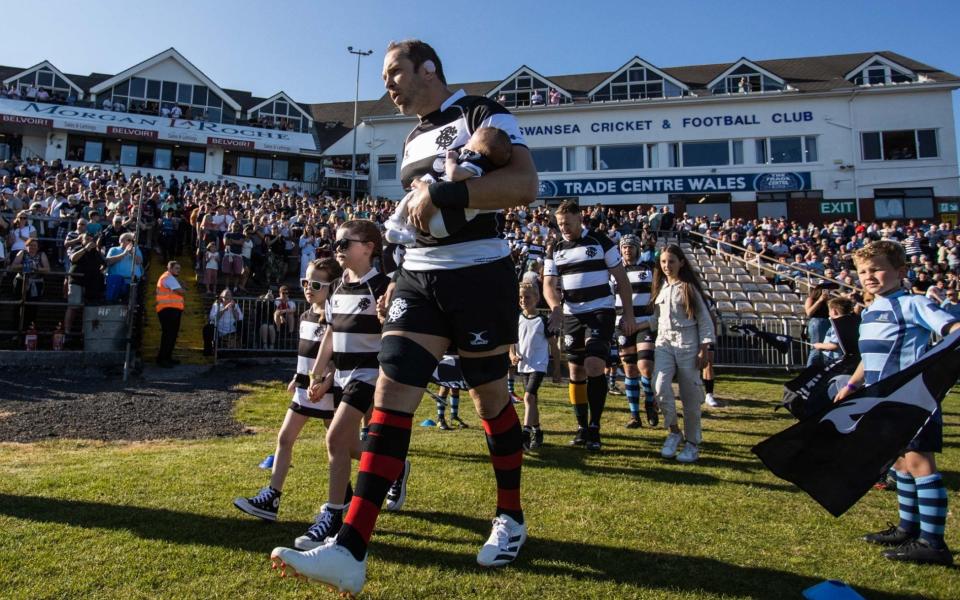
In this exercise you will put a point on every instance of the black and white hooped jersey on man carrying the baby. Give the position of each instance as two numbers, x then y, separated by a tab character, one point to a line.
424	153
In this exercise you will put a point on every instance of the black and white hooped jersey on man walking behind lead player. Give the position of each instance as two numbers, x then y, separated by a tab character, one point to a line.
583	268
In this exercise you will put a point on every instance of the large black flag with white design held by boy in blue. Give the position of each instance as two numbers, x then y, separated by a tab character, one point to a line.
837	454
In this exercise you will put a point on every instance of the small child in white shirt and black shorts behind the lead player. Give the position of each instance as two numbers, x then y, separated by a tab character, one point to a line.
530	355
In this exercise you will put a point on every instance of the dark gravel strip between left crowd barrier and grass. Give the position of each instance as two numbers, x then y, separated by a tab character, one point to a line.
187	402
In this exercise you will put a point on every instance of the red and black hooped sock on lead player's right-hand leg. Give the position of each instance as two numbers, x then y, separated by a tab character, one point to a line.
505	441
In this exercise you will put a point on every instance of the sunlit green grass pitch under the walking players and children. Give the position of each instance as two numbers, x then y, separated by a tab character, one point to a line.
155	520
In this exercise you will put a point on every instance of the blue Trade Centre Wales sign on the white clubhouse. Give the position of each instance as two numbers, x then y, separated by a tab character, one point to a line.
682	184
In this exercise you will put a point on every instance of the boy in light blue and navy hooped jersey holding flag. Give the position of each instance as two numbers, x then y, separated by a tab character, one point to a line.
894	332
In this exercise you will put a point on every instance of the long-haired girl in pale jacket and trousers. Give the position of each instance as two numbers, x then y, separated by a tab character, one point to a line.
684	333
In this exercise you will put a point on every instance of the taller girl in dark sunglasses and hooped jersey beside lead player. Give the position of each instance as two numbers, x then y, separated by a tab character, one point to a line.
351	344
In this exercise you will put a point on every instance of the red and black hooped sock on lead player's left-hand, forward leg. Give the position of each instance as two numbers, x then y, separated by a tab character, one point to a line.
381	463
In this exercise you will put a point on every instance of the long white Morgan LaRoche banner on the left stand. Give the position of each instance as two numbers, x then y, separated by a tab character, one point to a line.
152	127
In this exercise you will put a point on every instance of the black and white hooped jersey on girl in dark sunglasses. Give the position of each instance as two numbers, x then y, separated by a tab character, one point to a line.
352	313
